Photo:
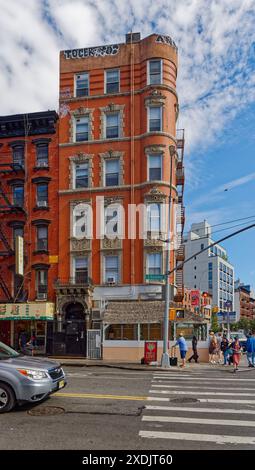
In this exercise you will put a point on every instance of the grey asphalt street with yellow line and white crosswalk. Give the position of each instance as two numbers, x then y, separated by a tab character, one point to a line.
104	408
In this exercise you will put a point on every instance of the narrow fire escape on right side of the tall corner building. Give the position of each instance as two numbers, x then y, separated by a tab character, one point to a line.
180	217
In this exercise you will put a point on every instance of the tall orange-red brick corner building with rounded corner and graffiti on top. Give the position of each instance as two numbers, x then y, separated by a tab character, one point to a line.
117	137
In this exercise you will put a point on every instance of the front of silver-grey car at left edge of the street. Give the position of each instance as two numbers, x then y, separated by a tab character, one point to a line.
26	379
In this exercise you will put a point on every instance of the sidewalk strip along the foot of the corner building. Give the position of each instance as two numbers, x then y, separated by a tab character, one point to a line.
203	366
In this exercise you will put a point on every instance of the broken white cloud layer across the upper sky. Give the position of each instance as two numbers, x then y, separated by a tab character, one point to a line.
216	78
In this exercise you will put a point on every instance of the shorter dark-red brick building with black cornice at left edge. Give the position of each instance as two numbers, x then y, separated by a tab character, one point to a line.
28	224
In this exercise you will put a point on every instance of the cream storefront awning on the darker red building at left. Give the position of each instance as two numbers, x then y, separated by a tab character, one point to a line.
27	311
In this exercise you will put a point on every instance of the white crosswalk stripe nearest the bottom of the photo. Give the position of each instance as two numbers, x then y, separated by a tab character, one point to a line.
198	437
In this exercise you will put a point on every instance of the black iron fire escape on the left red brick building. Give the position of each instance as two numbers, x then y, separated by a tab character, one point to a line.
10	168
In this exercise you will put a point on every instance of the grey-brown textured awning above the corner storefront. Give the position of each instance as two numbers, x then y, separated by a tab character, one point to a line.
134	312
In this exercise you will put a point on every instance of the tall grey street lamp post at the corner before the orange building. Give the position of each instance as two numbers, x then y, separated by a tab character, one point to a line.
165	356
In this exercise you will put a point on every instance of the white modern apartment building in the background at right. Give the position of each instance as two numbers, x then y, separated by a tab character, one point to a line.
210	271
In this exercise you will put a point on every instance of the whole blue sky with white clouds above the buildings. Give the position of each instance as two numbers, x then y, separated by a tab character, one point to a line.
216	88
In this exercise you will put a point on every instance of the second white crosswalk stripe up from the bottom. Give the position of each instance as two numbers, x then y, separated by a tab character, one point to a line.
183	419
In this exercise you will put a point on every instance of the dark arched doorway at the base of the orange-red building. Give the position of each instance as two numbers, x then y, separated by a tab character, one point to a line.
75	334
